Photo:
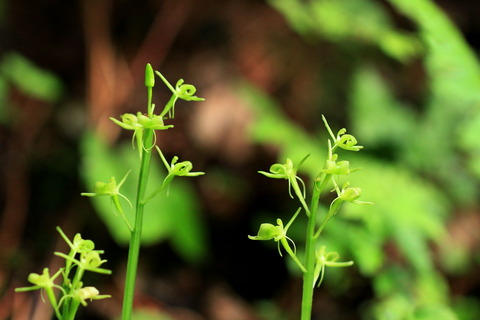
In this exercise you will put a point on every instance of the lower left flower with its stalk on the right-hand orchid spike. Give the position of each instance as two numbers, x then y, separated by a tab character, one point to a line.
278	233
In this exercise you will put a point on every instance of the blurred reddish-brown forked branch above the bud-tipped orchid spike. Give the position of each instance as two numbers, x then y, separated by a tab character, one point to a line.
110	77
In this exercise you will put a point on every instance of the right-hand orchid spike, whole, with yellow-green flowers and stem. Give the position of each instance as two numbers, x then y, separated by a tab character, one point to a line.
317	258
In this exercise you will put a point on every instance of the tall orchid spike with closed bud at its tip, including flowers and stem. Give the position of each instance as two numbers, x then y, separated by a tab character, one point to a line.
145	127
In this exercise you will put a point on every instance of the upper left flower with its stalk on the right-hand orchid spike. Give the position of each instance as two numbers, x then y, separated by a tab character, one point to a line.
289	172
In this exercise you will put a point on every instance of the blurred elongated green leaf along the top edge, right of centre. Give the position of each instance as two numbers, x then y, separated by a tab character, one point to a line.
363	21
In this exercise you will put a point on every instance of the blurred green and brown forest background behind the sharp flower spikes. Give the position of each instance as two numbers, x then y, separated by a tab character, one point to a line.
399	74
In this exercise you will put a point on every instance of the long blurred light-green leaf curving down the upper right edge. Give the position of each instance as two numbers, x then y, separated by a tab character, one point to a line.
453	109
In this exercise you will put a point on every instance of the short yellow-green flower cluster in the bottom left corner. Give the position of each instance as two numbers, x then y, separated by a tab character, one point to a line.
67	297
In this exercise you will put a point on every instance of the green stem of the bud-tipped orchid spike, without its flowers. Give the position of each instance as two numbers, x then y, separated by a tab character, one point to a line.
135	239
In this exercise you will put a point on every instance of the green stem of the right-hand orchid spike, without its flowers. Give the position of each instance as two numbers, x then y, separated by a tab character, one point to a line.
309	275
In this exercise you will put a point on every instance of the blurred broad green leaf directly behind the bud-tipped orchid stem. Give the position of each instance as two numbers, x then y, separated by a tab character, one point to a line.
173	217
